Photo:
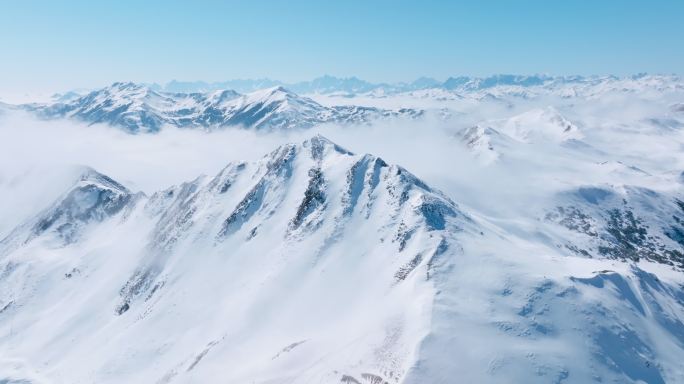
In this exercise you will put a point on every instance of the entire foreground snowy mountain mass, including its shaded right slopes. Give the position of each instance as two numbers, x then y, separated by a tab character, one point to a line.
315	264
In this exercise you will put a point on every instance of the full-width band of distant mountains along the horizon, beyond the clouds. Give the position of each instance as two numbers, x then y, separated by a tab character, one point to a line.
269	105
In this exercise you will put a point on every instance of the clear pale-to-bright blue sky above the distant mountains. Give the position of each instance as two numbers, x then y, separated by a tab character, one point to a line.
70	44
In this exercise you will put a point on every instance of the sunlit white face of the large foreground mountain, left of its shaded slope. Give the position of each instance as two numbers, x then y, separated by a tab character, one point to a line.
265	251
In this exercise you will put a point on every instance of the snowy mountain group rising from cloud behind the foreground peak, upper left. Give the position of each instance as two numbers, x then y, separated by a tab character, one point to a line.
139	108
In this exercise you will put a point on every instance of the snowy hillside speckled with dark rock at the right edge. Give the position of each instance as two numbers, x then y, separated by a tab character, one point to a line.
630	224
